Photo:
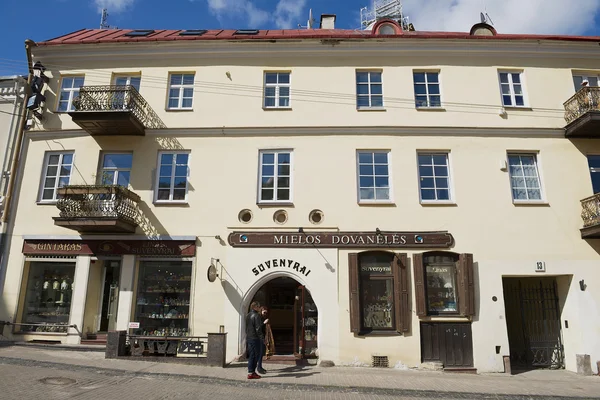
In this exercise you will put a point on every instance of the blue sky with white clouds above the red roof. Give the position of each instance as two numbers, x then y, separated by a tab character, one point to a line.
40	20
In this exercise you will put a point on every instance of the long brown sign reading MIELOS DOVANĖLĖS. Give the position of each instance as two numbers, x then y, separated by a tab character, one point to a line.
342	239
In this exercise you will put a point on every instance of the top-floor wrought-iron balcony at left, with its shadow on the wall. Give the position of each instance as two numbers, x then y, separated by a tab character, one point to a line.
113	110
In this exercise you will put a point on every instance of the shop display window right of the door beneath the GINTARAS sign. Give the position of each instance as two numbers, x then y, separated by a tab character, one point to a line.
163	300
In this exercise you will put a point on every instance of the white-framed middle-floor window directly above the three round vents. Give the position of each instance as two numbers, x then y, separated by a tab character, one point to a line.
275	180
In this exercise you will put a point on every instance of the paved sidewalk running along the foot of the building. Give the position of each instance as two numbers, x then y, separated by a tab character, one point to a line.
407	382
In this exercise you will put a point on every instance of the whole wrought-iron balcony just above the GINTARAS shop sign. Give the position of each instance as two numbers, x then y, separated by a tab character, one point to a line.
97	209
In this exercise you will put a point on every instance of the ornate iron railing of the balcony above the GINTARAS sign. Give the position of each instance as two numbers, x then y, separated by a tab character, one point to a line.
98	201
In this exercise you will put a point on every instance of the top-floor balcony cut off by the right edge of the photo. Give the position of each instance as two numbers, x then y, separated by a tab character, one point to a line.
582	113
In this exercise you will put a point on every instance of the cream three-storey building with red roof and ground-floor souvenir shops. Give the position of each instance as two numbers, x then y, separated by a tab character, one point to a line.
393	197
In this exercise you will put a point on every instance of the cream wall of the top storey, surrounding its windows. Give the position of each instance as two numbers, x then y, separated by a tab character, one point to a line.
324	90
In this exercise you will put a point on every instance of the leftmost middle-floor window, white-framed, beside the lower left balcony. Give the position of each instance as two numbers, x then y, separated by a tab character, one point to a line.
57	173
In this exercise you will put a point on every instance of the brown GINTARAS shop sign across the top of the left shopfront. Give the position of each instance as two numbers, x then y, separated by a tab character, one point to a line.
110	247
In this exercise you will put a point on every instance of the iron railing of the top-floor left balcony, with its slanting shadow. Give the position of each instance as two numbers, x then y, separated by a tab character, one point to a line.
116	98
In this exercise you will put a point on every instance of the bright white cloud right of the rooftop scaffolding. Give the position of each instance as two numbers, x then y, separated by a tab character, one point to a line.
509	16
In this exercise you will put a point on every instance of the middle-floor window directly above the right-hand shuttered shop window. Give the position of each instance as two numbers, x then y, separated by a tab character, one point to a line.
434	176
